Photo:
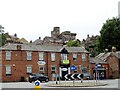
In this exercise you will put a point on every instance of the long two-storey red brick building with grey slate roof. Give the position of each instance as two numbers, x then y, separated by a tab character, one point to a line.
19	60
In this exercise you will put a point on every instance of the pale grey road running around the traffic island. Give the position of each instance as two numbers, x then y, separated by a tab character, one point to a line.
111	85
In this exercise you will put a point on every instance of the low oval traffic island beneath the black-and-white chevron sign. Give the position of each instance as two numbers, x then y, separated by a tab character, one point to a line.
76	84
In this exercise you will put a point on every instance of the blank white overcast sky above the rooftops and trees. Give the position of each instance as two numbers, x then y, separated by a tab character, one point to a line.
32	19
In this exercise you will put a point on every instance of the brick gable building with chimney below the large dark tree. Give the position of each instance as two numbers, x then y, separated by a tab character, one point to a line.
113	60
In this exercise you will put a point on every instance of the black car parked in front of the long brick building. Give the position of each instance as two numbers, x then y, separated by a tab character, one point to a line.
40	77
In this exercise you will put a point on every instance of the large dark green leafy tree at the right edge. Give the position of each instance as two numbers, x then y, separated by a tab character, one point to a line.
109	35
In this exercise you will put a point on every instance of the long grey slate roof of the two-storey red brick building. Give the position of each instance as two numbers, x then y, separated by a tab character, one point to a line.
49	48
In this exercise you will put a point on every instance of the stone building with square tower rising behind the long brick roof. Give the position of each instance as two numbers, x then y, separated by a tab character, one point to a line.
56	38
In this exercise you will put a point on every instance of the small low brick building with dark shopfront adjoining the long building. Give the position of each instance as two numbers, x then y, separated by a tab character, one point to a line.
102	70
